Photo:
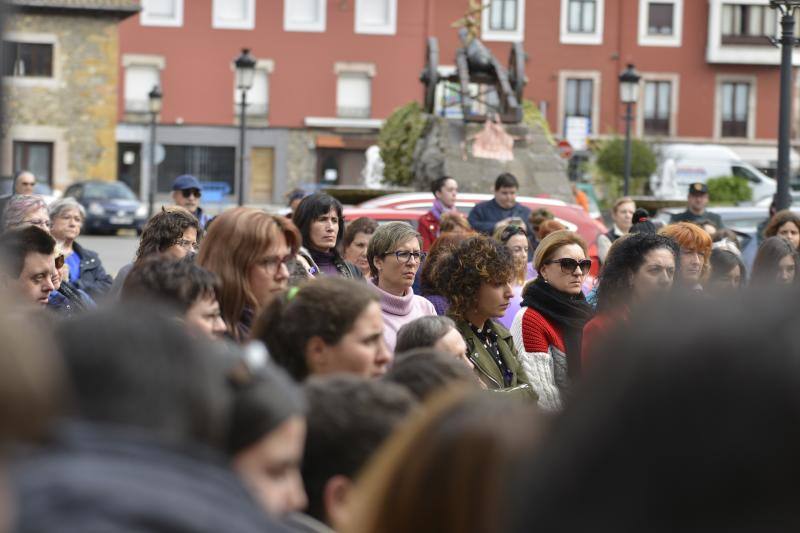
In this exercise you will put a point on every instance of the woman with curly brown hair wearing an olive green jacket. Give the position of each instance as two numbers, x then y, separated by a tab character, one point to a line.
476	278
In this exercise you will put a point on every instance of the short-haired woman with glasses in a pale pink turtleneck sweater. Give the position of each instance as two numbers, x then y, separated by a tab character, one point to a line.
394	254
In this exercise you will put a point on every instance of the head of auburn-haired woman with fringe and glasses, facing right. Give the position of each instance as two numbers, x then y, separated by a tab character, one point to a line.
249	251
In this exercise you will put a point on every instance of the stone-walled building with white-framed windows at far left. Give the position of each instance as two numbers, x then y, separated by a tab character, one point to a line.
60	88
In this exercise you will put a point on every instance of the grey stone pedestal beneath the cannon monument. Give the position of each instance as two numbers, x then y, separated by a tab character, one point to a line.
445	149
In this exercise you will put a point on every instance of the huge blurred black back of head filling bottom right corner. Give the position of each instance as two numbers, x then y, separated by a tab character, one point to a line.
692	424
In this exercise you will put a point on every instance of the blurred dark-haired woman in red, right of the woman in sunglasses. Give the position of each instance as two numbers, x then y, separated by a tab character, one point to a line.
639	268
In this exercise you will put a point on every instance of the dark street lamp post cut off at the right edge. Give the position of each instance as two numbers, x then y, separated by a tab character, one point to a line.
787	9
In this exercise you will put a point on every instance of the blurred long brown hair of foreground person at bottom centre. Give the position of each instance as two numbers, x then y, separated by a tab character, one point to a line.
446	470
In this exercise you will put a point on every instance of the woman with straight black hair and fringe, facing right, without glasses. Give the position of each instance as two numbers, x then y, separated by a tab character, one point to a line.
319	219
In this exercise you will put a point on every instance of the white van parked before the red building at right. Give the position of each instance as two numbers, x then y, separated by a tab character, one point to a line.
683	164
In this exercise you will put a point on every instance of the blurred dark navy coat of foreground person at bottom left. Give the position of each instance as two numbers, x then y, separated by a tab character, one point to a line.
107	480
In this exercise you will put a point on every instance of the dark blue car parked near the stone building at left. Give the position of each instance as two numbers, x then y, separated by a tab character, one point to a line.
110	206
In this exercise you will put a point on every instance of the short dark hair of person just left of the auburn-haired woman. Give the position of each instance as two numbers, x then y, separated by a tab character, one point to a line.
178	283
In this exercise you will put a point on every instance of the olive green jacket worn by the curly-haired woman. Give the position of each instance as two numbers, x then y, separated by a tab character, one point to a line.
485	366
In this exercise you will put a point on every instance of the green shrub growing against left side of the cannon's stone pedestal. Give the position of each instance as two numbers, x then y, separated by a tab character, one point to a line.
397	139
